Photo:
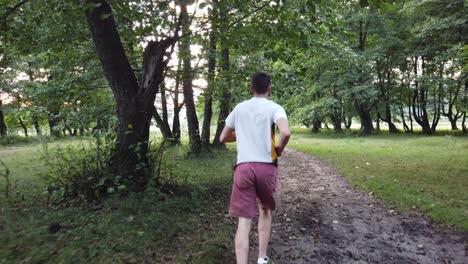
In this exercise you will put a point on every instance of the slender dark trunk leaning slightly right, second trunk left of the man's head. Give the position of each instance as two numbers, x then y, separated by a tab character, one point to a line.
208	110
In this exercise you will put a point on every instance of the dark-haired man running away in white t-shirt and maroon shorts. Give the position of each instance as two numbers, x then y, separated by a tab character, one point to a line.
252	125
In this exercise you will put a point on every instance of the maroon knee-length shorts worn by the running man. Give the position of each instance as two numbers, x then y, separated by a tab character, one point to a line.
253	180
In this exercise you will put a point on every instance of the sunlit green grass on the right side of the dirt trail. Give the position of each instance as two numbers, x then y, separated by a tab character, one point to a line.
427	172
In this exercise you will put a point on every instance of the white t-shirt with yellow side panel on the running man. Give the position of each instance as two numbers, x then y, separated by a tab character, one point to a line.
254	120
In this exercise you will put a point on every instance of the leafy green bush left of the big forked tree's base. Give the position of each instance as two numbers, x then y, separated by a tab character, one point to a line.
79	170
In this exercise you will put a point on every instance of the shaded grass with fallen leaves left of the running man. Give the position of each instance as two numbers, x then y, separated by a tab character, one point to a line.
186	223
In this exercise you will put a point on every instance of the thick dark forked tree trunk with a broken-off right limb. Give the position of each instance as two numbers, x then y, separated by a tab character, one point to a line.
134	102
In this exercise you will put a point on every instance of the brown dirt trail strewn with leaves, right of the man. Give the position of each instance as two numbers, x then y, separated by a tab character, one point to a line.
322	219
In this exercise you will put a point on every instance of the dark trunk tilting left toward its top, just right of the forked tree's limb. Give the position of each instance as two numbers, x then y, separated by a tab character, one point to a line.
192	120
